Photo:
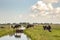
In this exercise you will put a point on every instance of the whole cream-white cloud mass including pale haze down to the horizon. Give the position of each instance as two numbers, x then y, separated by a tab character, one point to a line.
42	11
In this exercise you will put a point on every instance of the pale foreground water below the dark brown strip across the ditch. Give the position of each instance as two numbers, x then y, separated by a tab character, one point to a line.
16	36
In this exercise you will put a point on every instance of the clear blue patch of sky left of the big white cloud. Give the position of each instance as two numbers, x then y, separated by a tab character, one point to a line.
19	6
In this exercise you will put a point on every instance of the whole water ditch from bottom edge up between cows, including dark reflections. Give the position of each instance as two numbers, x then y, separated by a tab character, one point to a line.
19	35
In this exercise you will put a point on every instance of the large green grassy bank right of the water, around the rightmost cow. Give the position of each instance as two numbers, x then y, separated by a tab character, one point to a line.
37	33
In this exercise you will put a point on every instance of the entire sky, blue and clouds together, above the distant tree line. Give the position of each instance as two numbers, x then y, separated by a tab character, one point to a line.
40	11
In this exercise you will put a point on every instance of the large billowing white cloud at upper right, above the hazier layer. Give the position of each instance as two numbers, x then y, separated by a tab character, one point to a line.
45	8
